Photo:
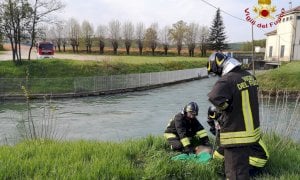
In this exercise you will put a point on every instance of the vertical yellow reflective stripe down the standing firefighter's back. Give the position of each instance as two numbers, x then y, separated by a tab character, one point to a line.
247	113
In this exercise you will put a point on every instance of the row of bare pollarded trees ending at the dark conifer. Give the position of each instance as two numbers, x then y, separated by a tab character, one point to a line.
178	34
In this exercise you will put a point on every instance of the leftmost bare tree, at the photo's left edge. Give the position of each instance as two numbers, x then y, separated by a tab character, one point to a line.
15	19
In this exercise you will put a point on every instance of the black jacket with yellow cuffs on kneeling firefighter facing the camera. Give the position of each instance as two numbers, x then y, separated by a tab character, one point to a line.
183	128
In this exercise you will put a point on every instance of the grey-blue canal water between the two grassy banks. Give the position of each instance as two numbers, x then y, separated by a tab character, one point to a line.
129	115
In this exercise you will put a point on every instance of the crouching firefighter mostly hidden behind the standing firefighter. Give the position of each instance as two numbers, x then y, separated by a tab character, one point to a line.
258	155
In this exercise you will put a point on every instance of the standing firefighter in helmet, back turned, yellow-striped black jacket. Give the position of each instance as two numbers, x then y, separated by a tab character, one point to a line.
235	95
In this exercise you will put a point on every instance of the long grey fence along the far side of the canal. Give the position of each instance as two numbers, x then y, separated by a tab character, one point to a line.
12	87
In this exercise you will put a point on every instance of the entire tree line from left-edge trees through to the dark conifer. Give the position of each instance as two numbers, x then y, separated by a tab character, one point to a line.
32	21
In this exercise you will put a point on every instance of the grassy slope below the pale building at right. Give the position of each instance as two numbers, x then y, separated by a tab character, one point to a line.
287	77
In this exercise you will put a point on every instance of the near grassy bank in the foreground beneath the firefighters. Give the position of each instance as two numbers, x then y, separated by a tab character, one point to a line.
147	158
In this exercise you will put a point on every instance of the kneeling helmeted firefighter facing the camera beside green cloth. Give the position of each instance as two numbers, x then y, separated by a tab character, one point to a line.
184	132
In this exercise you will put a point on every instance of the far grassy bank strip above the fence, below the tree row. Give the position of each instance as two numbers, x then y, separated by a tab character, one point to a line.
52	68
